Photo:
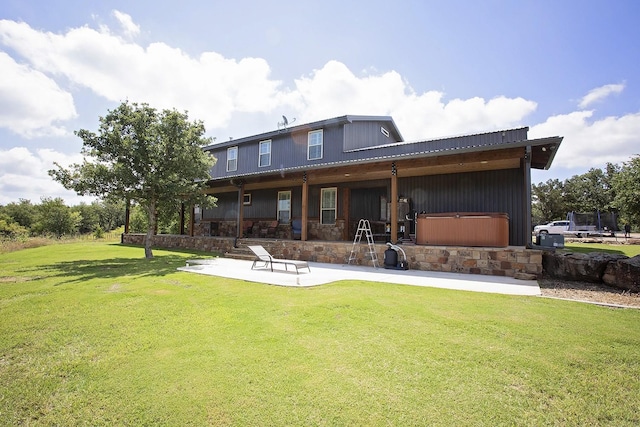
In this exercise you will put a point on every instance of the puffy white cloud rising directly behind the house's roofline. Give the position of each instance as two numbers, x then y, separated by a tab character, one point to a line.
334	90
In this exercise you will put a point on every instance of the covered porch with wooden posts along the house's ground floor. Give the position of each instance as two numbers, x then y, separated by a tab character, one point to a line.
288	204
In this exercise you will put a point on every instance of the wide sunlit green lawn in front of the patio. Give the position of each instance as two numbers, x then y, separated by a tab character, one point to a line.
93	334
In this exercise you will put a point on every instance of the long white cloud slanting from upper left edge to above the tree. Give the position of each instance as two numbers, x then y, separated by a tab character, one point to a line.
211	88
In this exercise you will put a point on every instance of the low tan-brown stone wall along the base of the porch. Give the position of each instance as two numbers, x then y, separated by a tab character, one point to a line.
516	262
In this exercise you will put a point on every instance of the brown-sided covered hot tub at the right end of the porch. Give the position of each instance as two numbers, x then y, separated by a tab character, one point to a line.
463	229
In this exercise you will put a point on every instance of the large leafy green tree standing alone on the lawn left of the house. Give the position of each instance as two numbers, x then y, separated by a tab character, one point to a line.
152	158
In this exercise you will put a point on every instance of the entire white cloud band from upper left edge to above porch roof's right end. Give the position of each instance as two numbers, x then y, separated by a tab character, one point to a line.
214	89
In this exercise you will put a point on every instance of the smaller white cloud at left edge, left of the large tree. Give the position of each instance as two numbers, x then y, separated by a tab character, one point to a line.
30	102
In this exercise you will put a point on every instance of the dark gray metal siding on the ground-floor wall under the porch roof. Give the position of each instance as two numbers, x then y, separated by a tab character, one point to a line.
492	191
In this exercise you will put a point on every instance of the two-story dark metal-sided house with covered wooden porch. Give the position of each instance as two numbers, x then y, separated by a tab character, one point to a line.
316	181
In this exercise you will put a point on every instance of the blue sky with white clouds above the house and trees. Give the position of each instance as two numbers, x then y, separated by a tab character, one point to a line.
567	68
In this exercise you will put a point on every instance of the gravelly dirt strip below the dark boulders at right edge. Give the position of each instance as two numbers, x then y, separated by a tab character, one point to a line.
592	292
